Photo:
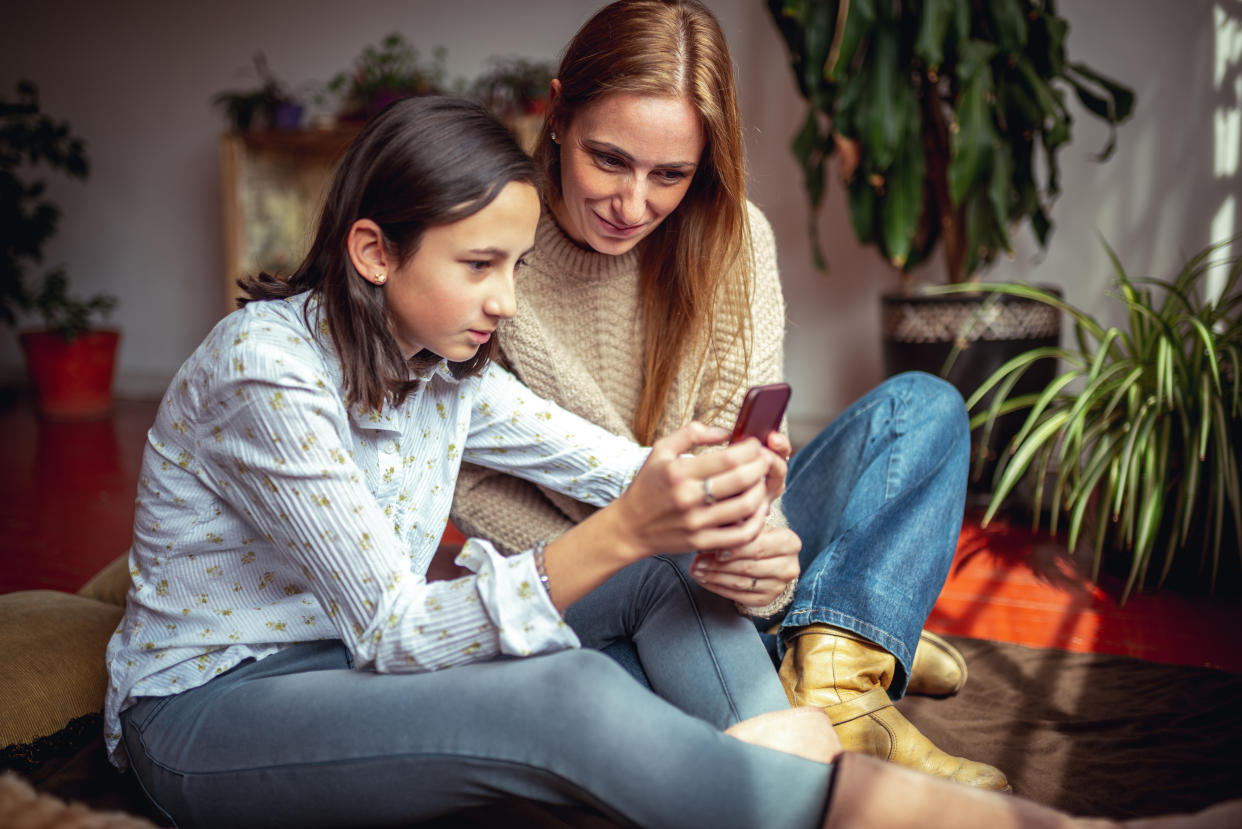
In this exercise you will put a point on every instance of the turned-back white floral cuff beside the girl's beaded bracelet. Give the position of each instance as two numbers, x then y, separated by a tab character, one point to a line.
527	622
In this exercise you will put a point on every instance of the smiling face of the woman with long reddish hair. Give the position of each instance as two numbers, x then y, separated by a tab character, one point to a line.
627	163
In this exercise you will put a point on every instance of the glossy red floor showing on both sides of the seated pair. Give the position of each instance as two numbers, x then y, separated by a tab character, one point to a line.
66	510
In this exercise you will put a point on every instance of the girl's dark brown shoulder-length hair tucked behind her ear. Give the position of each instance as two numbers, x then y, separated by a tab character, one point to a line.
420	163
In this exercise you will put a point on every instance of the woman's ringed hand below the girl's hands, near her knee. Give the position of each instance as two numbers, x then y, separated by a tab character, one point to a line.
753	575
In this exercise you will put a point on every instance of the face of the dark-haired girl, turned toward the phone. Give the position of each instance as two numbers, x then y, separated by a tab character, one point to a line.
458	288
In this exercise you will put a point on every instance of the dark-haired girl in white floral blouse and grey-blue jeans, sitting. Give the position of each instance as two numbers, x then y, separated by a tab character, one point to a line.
284	658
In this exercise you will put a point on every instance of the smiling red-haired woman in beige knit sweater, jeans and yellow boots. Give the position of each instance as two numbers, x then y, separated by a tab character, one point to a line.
654	299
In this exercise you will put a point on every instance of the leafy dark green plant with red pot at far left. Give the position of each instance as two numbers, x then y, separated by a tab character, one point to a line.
71	362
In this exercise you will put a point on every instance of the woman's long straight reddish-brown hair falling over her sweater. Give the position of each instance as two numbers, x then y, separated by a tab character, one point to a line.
697	279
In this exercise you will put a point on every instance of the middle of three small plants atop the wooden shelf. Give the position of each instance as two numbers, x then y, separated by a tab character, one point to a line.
384	74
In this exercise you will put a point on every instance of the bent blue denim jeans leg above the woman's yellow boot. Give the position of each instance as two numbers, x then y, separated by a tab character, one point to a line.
877	500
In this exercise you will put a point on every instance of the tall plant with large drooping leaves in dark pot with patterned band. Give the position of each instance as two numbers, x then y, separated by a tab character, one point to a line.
937	112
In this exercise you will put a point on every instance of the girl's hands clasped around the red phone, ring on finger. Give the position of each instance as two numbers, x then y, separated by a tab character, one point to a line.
710	502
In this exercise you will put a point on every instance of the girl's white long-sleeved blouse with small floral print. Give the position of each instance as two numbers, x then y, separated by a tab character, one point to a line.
269	515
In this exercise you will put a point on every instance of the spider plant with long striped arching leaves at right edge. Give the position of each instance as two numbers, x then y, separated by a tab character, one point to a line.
1138	439
